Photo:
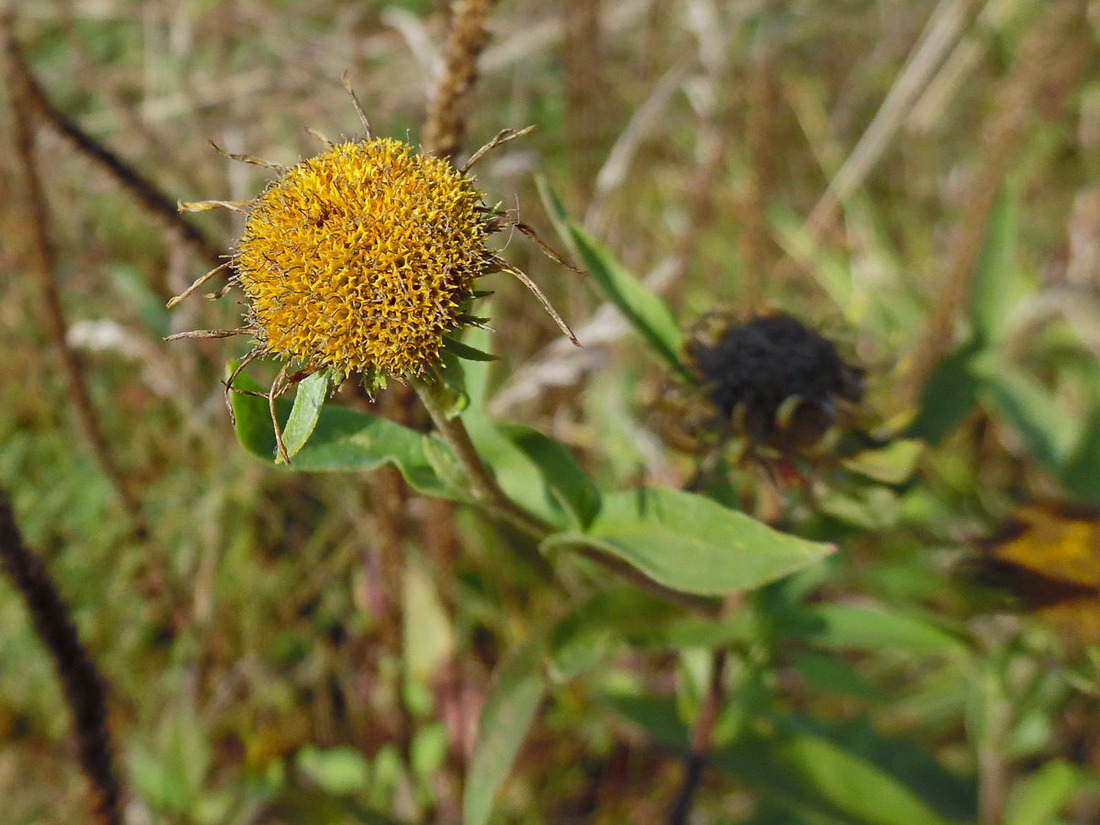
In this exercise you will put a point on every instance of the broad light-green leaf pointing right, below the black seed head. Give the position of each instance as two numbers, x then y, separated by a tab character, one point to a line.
690	544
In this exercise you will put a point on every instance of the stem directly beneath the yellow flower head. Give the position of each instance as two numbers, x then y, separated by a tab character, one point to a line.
433	393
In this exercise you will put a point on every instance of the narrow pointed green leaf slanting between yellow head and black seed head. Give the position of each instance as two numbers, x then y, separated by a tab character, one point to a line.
647	313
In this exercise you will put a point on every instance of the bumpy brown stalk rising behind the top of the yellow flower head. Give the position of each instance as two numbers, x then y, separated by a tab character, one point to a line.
447	125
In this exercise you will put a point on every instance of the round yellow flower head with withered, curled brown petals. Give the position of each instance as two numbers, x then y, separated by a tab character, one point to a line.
361	260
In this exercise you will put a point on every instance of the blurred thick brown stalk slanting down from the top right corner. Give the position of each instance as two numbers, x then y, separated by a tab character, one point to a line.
1054	52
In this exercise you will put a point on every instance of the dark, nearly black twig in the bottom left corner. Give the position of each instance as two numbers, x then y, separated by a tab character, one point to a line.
84	688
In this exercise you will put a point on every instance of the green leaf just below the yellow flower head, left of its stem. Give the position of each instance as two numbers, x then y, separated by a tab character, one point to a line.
345	441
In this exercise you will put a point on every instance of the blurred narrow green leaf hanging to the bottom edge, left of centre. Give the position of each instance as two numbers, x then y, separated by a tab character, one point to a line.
509	714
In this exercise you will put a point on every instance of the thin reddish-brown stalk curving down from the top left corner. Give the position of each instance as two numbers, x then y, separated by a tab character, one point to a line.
42	266
